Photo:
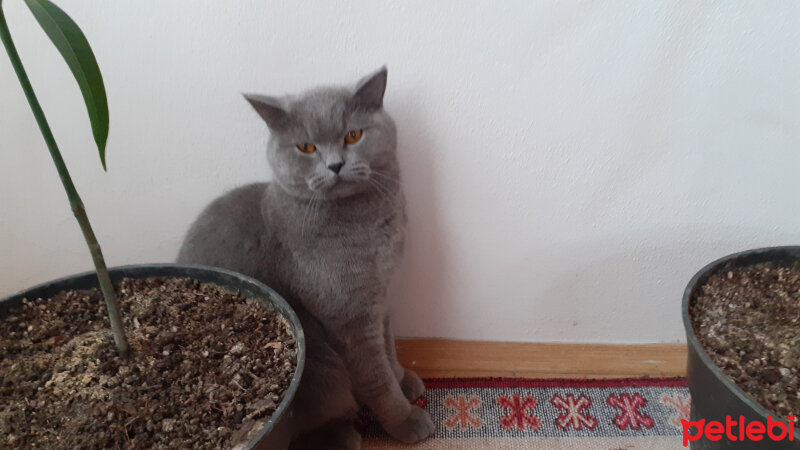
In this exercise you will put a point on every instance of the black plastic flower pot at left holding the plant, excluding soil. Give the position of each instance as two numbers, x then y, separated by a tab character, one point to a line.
232	281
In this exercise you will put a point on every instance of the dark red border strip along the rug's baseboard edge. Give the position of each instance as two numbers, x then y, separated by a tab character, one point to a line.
504	382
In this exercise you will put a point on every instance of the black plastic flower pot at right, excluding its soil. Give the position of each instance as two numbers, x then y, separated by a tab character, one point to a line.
714	395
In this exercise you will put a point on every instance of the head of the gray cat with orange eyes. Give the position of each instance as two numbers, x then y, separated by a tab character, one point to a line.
331	142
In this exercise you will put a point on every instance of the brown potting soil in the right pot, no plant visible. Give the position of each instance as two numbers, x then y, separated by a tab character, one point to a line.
748	320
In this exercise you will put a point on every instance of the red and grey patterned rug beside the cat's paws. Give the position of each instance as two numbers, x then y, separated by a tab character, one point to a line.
479	413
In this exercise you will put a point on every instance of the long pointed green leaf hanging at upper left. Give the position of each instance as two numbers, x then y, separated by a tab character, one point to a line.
73	46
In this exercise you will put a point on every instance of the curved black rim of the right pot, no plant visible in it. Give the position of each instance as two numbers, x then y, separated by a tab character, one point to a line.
691	338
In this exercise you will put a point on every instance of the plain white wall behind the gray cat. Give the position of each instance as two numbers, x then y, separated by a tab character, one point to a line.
568	165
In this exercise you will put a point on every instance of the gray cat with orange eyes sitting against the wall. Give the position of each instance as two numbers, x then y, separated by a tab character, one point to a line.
326	234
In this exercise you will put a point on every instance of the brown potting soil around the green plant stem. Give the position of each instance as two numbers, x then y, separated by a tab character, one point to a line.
208	366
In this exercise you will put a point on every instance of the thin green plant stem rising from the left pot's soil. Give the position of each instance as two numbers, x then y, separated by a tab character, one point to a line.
74	199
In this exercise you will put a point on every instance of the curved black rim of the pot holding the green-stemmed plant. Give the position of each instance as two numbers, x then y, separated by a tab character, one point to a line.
281	307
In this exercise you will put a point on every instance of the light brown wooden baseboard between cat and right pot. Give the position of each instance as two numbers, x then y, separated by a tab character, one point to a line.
440	358
